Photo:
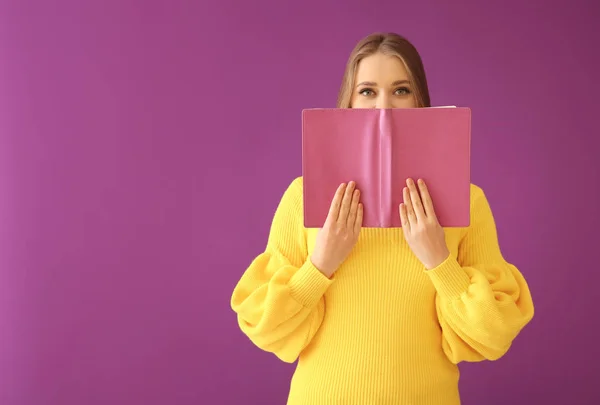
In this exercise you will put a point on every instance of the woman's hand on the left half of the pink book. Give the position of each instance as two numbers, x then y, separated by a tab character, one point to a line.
341	230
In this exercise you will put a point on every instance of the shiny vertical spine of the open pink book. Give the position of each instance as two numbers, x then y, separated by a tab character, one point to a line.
385	169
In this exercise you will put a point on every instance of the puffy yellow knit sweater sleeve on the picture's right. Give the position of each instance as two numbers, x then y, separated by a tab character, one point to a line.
482	301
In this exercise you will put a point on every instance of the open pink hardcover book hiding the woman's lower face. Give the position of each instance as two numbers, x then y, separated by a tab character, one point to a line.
379	149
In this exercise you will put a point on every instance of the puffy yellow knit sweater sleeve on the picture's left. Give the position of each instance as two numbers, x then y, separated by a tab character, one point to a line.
279	299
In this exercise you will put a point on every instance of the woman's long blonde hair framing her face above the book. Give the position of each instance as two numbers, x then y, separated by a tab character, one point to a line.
389	44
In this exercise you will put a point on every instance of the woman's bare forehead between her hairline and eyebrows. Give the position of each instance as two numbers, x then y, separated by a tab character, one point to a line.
381	68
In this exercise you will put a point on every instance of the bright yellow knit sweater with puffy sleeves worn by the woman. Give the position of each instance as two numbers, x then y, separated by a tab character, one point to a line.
383	330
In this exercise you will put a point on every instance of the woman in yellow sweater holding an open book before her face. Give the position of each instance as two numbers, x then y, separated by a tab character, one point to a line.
381	316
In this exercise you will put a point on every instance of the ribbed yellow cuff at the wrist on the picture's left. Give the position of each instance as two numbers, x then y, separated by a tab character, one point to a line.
308	284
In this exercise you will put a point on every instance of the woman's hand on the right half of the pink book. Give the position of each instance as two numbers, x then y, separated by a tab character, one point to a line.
422	230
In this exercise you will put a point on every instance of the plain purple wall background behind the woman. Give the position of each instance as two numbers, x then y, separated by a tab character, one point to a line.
145	144
